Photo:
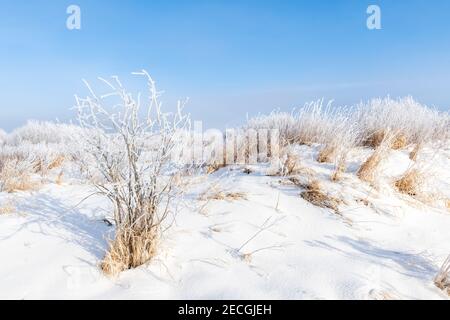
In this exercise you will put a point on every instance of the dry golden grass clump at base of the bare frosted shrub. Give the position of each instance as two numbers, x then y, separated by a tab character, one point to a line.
131	248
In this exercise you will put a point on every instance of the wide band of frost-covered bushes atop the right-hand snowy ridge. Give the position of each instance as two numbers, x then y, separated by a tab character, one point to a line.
402	121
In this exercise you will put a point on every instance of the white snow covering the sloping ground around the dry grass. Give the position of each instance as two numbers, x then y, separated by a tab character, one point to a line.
266	242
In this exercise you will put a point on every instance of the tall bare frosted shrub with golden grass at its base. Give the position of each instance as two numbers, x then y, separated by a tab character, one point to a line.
131	144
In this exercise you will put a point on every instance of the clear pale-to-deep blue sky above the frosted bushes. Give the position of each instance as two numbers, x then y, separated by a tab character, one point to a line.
230	57
